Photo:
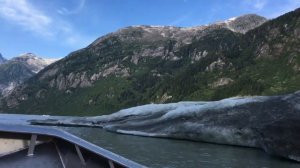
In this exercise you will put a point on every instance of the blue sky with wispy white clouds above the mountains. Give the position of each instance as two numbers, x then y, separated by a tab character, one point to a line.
54	28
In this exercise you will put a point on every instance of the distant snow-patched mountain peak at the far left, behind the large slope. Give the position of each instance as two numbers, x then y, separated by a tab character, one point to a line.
18	69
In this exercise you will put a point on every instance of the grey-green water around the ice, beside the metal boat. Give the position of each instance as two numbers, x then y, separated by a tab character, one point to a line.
166	153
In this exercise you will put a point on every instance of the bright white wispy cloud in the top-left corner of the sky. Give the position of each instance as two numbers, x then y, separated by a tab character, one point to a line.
25	15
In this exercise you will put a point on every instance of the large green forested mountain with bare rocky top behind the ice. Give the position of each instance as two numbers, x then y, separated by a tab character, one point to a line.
136	65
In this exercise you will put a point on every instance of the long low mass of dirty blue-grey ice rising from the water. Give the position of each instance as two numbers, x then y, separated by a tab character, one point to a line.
271	123
